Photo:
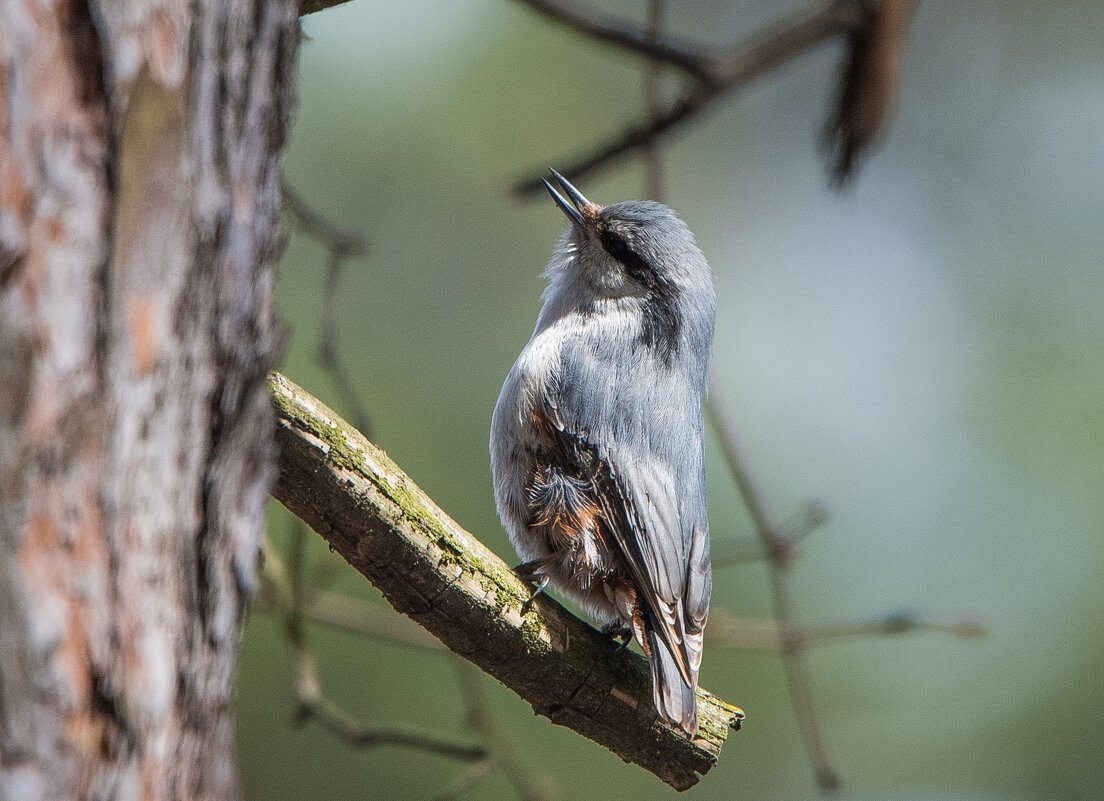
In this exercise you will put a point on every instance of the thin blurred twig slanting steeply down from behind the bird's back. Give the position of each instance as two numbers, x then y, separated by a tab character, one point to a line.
781	559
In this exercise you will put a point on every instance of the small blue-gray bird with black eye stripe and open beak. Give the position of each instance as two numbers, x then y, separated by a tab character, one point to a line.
598	439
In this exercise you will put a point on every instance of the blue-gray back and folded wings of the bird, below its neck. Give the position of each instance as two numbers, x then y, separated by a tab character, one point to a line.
645	426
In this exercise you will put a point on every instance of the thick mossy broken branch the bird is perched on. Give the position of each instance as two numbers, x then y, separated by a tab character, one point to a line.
431	570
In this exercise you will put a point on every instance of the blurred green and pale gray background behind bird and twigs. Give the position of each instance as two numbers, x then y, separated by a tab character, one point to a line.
922	354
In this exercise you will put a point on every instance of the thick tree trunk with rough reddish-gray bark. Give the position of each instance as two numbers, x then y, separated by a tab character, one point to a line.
140	190
